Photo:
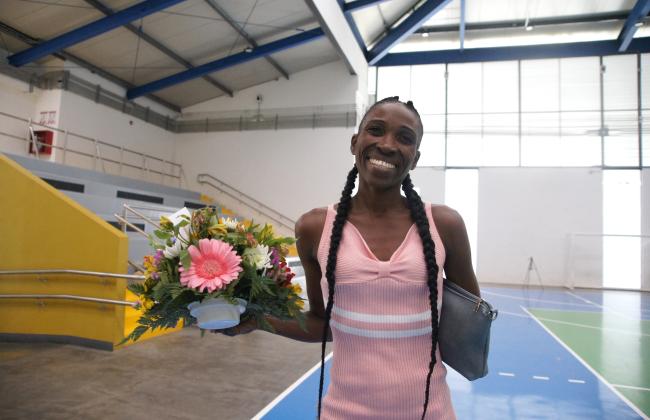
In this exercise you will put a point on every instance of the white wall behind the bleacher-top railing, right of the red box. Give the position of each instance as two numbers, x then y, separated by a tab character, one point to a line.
83	116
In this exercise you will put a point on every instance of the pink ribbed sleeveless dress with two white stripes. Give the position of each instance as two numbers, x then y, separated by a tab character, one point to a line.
381	328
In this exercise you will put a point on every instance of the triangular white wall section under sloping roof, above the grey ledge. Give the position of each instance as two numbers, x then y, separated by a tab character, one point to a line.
329	84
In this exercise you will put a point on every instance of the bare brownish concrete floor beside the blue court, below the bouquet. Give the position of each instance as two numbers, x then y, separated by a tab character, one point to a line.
177	376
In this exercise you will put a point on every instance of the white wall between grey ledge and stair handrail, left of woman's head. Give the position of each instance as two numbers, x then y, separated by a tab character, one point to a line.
291	171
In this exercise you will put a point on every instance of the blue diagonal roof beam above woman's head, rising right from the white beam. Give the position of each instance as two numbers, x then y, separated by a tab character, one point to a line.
404	29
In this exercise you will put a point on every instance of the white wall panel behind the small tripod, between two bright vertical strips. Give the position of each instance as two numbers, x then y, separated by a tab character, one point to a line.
529	212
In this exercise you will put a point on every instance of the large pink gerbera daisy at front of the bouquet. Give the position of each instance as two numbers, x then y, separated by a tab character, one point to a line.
214	265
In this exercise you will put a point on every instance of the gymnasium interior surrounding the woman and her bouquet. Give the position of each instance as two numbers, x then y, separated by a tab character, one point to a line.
114	113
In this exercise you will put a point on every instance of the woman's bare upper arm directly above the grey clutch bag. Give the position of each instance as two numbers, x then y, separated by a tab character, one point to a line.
458	261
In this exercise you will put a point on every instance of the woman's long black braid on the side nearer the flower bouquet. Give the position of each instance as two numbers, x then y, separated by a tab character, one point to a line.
337	230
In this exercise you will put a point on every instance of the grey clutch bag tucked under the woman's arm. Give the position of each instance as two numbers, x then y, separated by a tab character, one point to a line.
464	331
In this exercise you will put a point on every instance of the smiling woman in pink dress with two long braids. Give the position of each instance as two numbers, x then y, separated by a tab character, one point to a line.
372	264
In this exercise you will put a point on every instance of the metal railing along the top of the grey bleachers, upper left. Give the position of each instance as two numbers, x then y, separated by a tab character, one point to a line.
169	169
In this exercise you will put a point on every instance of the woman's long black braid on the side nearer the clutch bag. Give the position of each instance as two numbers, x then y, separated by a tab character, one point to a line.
419	216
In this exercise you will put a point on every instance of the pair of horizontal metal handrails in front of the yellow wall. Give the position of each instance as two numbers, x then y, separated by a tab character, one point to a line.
71	297
